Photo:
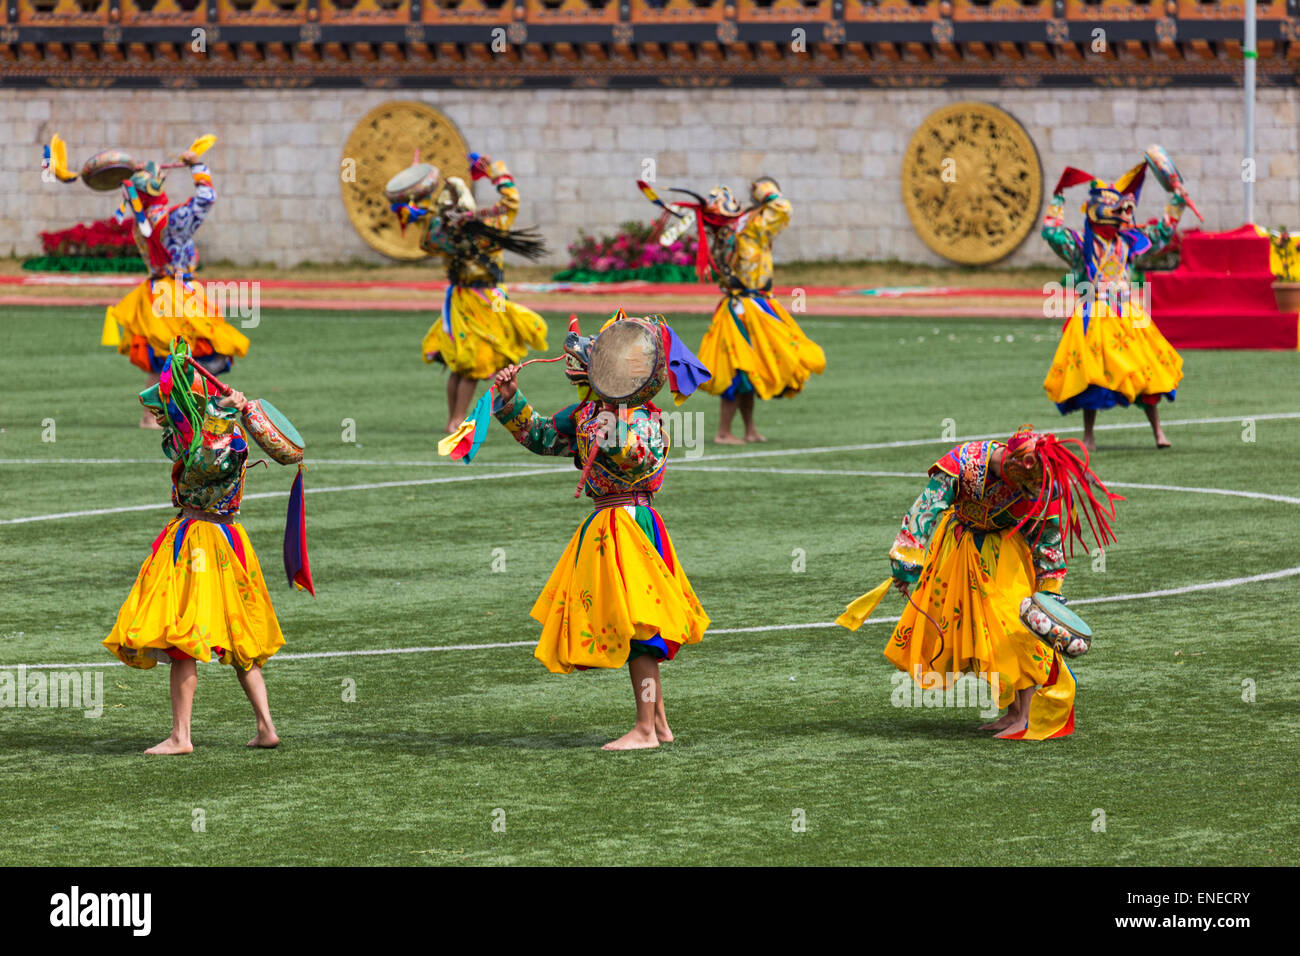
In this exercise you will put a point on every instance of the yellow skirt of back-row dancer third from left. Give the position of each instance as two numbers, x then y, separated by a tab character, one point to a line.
756	339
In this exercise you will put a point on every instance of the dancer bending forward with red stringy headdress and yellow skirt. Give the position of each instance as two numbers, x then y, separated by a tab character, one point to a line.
985	534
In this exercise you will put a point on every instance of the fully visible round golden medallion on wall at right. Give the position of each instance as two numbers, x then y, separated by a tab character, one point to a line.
972	184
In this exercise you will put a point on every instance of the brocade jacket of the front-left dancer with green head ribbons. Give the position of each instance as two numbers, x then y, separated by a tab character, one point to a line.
213	478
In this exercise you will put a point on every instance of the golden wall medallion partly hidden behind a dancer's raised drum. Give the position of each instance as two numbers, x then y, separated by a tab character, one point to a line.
382	146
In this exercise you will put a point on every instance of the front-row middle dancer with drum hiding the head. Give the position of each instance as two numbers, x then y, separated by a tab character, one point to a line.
619	594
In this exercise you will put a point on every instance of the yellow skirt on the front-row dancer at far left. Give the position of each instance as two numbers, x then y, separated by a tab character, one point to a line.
201	591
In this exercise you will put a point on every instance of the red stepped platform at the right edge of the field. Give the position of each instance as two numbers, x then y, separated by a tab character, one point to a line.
1221	296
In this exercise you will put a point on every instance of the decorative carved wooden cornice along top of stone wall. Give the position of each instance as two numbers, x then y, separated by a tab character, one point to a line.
640	44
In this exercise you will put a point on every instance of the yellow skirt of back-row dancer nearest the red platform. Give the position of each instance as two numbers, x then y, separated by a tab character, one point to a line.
1116	362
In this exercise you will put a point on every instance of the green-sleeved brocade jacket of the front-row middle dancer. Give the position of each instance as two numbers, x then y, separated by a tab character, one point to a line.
632	460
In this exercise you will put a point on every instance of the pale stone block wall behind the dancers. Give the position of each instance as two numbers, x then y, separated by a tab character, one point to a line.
577	155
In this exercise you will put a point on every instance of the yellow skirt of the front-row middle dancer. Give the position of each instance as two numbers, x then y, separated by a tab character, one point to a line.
618	590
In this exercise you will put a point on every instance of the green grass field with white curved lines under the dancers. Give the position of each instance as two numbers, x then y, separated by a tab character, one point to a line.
769	723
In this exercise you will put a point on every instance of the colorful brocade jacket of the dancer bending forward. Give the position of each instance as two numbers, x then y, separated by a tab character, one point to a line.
964	485
